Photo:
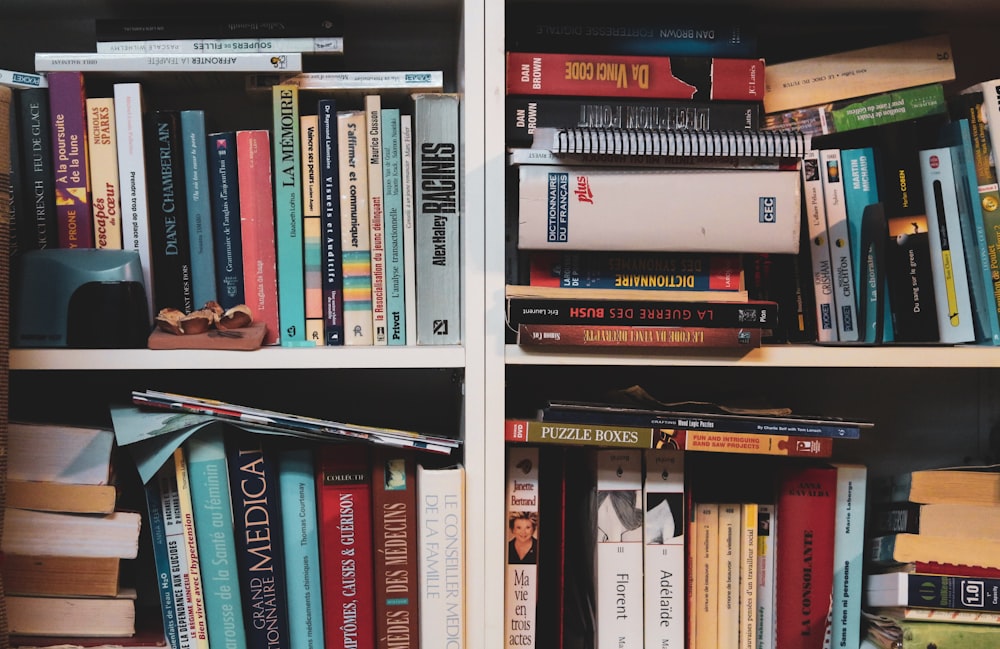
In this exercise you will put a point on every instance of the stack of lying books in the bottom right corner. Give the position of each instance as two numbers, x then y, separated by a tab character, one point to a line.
935	558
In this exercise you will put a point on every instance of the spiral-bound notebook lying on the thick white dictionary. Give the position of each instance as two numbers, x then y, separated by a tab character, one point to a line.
620	141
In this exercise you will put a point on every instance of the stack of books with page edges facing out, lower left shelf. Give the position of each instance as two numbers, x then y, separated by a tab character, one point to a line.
64	541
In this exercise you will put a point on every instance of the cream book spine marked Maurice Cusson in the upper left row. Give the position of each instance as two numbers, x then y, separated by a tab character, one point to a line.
376	216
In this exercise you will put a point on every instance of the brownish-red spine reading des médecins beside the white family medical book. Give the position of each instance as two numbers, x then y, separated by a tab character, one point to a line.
394	518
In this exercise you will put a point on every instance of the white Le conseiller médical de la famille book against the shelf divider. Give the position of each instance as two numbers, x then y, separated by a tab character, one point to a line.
441	522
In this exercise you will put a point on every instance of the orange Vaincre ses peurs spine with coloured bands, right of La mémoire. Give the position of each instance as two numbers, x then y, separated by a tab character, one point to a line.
312	230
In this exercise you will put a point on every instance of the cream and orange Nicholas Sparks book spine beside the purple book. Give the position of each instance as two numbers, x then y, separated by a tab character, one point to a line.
102	149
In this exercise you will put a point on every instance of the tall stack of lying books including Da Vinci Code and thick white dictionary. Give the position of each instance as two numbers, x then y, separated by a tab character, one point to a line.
620	137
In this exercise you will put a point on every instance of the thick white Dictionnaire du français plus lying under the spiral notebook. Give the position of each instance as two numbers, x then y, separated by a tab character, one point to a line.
679	210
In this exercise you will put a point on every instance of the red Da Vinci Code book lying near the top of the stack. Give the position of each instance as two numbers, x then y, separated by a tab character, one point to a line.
651	77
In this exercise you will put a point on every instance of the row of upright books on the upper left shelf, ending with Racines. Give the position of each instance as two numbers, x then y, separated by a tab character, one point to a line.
320	224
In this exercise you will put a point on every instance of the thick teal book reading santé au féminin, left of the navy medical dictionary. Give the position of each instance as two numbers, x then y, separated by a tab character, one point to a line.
213	522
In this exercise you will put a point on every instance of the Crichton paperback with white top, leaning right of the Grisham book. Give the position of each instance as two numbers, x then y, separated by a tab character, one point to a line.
838	236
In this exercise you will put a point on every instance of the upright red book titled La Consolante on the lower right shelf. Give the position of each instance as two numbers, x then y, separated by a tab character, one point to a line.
806	505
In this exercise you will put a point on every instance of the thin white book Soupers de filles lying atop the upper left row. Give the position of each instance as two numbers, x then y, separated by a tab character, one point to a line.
311	45
